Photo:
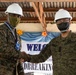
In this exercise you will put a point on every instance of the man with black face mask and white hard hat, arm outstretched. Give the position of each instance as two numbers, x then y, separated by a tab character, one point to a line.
62	48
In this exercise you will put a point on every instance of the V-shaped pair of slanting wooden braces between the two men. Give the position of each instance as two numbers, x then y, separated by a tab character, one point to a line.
40	14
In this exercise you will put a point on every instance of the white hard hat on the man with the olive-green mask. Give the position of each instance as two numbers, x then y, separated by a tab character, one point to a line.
14	9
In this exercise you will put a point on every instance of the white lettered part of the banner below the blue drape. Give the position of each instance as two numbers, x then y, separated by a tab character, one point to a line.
35	48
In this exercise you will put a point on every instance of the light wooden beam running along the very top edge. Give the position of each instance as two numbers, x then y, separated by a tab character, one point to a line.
37	0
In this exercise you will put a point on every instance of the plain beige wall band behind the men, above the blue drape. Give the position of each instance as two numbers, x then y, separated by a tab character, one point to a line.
37	27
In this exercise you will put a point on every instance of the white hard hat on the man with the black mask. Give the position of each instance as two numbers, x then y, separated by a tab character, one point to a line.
61	13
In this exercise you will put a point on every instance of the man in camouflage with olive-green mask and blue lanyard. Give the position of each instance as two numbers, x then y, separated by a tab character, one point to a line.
10	46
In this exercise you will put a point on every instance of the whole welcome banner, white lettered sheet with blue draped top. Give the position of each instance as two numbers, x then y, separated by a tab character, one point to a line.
32	43
